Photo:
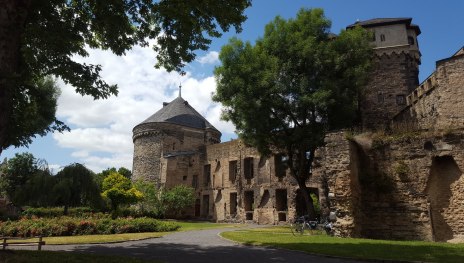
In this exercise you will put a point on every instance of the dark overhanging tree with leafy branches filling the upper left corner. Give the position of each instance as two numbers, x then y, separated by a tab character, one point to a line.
39	38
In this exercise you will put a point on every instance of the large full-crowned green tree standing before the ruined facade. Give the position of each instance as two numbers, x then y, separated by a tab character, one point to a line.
296	83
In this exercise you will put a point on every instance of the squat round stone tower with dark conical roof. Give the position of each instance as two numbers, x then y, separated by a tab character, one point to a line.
176	128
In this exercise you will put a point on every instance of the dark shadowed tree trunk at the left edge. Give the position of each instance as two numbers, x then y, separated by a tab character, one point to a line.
13	14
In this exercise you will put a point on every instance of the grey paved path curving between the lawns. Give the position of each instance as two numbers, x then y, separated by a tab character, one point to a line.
196	246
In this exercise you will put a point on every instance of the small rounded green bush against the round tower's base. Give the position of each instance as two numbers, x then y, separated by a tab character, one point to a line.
178	198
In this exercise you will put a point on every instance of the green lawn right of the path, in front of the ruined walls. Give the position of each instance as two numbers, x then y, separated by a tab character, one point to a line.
351	247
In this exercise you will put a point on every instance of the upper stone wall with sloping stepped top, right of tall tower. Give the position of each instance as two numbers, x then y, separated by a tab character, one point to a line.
438	103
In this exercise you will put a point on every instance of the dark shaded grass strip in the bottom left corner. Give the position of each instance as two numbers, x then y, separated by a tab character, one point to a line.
18	256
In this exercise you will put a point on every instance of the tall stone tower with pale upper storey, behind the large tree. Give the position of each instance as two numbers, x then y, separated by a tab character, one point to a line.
395	71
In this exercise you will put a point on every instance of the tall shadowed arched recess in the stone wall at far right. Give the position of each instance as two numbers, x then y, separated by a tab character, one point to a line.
443	173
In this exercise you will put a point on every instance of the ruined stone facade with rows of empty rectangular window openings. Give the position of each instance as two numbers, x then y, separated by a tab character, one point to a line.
241	176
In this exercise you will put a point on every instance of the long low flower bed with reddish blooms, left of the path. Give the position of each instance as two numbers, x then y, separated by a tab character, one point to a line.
68	226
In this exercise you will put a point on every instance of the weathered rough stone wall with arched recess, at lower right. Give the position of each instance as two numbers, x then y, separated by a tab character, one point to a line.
403	187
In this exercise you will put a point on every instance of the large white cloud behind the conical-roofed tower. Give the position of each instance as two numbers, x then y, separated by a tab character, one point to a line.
102	129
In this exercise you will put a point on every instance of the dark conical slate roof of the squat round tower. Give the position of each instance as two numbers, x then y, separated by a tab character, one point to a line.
180	112
